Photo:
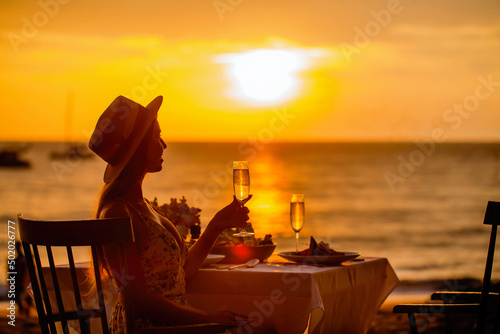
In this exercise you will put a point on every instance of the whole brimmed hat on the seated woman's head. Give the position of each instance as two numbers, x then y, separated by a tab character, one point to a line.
120	130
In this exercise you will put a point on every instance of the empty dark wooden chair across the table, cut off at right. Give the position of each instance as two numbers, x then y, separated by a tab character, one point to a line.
460	302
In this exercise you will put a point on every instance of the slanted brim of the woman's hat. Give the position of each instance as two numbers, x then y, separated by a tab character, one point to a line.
112	171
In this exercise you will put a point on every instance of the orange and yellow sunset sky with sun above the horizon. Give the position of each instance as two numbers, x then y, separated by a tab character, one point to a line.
290	70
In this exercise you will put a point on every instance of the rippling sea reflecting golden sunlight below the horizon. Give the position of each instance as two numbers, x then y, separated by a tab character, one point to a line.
420	205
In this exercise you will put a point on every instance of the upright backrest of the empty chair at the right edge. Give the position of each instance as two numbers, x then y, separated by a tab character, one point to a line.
491	217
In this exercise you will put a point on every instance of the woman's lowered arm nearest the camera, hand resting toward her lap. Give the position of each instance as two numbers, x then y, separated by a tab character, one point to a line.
145	303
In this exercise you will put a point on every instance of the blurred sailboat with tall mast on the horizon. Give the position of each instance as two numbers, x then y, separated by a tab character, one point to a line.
71	150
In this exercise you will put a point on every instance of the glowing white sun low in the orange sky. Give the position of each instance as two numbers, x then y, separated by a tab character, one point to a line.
264	76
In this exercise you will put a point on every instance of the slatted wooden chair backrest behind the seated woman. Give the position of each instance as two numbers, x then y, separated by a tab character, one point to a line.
58	305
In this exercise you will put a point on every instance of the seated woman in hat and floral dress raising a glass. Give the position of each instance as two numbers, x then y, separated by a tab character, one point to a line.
127	137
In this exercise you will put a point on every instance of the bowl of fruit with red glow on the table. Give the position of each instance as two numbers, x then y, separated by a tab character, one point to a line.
240	250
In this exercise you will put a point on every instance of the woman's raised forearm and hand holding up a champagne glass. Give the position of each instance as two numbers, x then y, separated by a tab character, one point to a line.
233	215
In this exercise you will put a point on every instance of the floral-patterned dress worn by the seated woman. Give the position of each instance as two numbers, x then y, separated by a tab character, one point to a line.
162	261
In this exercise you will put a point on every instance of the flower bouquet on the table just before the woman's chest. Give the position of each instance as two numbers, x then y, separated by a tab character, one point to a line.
179	213
